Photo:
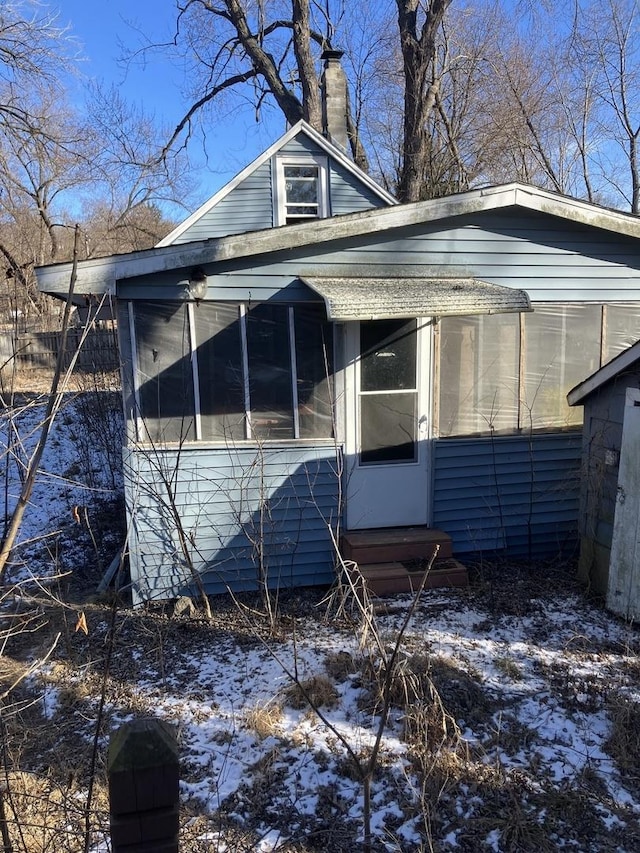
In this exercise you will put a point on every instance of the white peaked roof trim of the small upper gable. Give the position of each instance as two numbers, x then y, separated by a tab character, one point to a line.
300	128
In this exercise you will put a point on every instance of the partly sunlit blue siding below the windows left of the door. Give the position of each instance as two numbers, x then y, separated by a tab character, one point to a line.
218	495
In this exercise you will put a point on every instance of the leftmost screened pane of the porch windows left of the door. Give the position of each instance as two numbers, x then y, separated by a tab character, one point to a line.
165	376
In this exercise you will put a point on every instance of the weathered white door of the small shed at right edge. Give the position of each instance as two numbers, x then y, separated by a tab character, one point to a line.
623	592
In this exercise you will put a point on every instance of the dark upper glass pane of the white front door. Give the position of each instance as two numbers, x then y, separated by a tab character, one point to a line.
387	355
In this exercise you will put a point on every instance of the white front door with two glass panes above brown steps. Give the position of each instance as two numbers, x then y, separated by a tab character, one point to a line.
387	424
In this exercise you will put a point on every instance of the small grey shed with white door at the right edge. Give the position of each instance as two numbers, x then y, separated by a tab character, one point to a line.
609	495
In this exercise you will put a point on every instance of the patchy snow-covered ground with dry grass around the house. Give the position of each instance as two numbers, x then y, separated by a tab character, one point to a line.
514	722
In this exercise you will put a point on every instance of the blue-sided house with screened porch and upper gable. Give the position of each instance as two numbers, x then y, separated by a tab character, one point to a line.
377	368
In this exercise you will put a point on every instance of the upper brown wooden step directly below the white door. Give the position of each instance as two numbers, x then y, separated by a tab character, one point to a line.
394	544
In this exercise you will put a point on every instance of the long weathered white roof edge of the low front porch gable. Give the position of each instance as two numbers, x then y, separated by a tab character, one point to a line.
99	275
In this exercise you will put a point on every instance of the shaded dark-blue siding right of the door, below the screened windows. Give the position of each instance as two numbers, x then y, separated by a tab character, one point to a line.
517	494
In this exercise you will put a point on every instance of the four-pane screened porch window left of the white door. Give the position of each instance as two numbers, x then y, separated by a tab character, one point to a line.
232	372
